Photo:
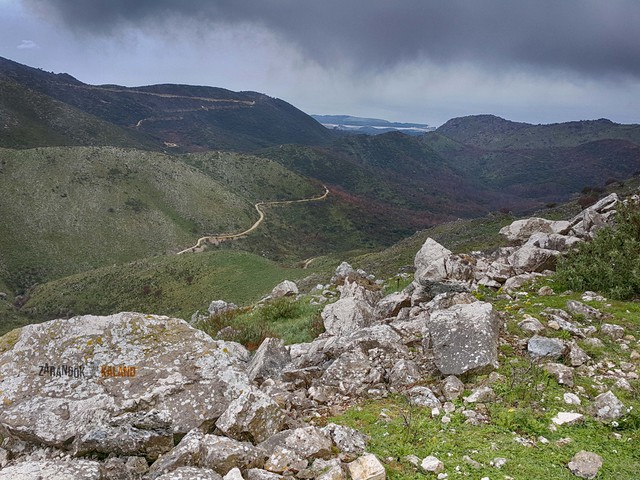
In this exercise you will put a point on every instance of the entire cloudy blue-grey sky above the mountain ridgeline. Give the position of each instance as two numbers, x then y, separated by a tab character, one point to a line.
424	61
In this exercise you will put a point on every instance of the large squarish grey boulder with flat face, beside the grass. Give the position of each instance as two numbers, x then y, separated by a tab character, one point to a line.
464	338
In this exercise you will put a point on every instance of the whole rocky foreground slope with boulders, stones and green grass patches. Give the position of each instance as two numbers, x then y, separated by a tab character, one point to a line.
477	369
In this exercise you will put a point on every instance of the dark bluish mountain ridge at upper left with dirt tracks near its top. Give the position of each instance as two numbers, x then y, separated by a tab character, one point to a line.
178	117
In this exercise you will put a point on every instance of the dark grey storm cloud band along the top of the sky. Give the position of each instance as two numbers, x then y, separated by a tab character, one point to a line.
588	37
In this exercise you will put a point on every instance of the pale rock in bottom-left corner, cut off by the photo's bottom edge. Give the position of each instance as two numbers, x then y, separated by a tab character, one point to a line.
63	469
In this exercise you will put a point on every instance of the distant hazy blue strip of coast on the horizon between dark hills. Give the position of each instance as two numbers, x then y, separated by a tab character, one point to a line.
370	126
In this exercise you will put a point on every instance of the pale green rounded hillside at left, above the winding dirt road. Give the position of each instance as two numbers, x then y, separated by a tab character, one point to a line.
67	210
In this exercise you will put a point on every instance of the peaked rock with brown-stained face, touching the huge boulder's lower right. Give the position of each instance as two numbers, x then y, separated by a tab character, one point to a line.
253	416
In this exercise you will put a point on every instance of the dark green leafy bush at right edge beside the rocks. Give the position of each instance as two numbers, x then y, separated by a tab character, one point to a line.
610	264
